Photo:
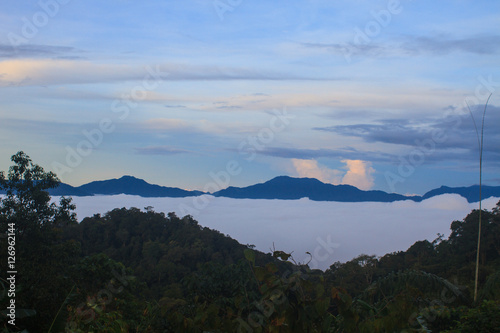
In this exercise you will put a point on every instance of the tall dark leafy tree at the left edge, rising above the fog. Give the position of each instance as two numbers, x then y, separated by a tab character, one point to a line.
41	254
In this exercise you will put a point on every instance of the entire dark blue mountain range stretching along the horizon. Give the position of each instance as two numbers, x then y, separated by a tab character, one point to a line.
282	187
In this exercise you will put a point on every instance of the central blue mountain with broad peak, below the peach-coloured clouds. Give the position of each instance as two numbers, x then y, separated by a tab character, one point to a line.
285	187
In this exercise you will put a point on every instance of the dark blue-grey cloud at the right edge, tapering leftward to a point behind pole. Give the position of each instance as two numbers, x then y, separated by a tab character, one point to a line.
458	137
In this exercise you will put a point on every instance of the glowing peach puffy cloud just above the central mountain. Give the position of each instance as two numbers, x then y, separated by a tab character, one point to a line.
359	173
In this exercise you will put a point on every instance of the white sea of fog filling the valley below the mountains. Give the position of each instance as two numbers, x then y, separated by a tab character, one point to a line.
330	231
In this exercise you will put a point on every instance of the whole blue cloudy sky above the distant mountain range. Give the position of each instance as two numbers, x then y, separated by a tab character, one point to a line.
375	94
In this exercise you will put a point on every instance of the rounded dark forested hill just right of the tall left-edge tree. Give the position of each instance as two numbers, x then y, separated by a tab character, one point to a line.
162	250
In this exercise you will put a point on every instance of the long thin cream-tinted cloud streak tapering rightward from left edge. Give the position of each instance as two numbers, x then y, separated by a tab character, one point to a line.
66	71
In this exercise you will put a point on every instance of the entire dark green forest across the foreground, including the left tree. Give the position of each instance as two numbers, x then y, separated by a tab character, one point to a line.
134	270
